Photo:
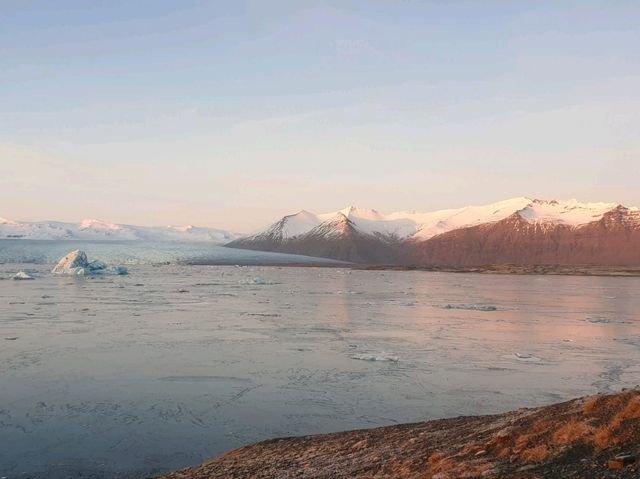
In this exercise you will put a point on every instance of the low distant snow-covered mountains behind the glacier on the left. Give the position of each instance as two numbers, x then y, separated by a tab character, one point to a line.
92	229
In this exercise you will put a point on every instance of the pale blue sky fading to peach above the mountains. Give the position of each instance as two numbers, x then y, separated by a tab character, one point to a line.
233	113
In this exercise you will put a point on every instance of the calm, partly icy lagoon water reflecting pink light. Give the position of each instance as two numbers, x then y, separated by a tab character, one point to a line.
129	376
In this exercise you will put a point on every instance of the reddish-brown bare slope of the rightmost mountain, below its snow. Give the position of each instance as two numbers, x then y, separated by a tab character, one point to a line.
612	240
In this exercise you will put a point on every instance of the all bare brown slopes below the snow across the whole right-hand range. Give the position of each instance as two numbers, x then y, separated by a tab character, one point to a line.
613	240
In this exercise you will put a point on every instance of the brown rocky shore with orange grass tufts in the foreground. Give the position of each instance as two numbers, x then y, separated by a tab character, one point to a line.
592	437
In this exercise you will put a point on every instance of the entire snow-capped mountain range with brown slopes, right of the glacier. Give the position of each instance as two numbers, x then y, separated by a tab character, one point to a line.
409	237
